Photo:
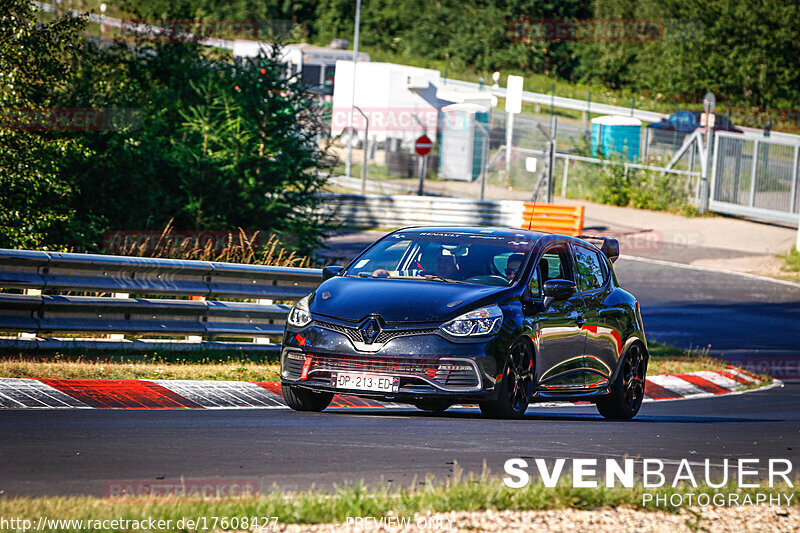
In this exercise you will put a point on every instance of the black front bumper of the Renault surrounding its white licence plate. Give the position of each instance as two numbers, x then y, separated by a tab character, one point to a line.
424	363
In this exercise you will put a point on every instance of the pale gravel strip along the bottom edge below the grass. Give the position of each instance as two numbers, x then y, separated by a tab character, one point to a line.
709	519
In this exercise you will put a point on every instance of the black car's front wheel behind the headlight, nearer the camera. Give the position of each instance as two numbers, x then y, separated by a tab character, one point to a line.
516	385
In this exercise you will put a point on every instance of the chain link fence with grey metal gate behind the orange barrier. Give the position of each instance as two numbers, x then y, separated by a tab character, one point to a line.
751	175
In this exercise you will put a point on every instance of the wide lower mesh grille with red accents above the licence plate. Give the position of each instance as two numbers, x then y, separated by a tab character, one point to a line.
450	374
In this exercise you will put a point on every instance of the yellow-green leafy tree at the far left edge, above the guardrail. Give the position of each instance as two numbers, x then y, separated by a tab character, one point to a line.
35	59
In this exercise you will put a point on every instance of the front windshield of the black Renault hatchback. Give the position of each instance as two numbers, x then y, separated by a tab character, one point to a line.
458	257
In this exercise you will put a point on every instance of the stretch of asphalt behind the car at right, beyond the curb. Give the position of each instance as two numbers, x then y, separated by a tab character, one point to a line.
745	320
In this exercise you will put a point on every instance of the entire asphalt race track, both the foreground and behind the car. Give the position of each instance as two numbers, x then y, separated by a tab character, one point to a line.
81	451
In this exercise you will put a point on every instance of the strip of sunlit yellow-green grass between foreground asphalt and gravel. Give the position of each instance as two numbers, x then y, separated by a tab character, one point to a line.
472	493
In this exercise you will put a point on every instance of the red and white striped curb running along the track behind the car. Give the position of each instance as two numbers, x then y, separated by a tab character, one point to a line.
20	393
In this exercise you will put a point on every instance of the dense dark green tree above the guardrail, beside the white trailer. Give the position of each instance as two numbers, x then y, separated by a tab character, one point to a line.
218	145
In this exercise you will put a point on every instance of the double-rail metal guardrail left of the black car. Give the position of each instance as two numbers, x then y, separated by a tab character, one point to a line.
207	318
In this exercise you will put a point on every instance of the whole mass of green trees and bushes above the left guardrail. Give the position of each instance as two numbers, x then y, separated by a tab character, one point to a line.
204	142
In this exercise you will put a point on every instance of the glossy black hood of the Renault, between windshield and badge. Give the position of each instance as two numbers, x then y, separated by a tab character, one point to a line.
397	300
